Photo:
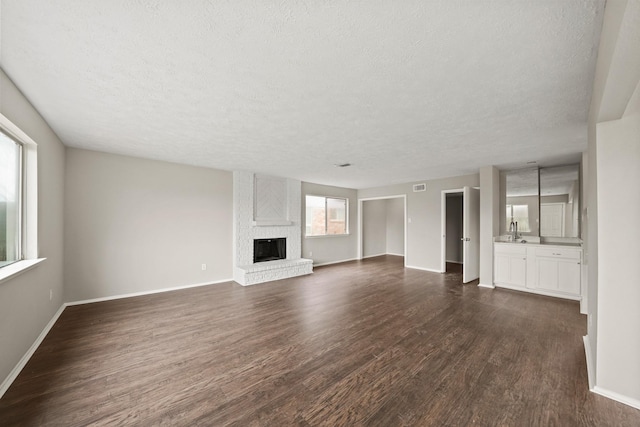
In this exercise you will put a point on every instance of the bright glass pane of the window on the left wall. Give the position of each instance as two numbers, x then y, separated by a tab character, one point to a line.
9	200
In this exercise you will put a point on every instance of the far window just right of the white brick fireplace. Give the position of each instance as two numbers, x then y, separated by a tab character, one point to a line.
326	216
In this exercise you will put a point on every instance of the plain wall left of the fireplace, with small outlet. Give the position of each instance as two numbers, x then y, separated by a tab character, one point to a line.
135	225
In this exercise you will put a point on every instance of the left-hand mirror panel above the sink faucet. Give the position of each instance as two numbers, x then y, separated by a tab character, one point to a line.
519	201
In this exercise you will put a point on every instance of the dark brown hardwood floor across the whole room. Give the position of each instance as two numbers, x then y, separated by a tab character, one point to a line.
359	343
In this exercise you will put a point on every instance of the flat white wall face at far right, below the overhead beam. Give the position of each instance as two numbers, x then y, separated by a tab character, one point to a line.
618	346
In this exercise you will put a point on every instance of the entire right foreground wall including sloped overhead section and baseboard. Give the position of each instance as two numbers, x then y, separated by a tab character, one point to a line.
613	135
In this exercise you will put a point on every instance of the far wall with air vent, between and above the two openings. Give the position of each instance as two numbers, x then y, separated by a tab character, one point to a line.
423	211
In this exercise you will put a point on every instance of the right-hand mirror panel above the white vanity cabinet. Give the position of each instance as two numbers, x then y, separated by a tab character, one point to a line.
560	201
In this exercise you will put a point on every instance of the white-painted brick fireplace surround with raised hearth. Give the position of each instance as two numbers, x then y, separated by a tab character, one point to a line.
267	207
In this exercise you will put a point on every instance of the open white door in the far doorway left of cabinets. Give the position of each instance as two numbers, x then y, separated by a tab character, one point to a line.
471	233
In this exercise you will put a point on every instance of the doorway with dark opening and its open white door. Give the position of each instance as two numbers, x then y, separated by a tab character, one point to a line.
460	221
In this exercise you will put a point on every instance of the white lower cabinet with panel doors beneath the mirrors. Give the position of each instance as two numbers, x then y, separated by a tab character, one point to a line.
543	269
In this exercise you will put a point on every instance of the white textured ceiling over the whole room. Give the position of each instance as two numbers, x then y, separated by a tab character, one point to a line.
404	91
